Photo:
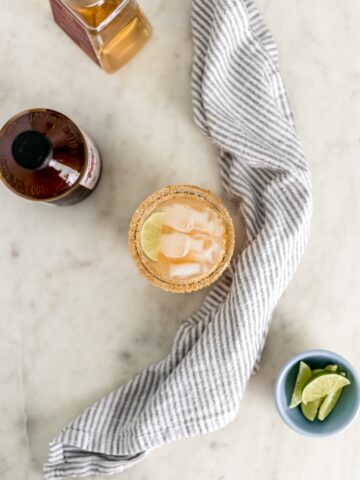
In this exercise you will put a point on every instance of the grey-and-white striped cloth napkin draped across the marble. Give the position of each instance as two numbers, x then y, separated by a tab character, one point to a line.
240	102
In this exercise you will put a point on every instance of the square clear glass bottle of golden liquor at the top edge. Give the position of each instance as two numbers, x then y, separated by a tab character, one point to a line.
111	32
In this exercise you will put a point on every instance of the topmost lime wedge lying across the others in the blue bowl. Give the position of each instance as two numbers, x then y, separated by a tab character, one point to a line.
321	385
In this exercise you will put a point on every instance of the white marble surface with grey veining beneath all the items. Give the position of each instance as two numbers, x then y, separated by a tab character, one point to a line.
76	318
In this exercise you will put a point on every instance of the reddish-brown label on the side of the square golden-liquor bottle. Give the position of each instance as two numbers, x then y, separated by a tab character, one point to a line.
69	23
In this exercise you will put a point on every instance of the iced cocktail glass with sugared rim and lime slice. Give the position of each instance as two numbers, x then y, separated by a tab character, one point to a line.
181	238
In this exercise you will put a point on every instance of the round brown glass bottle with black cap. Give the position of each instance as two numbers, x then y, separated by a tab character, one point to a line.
45	157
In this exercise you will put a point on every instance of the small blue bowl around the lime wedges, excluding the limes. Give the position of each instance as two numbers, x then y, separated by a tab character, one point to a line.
343	414
